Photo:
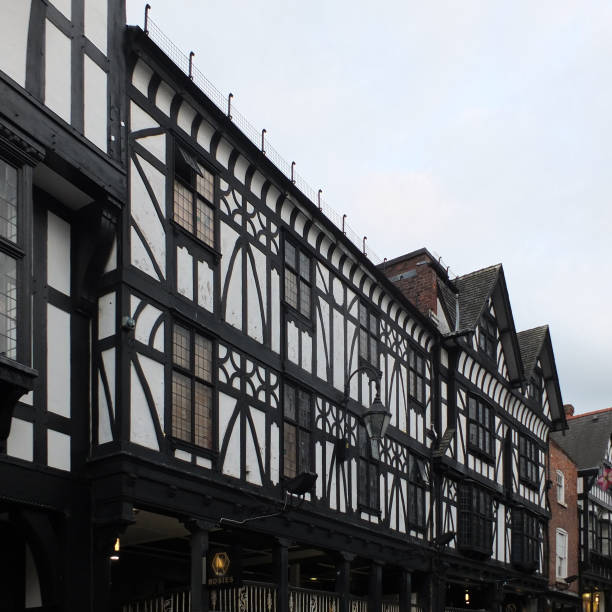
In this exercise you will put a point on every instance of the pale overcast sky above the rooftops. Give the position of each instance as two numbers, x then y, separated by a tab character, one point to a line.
480	130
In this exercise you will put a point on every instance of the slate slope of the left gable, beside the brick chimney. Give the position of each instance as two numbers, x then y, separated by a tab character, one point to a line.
473	290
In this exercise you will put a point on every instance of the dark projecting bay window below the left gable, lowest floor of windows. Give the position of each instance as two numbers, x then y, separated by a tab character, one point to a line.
475	532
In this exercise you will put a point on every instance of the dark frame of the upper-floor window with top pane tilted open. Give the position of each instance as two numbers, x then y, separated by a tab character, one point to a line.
183	152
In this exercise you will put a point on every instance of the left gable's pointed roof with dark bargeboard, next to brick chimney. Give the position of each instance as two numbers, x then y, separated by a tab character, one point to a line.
465	308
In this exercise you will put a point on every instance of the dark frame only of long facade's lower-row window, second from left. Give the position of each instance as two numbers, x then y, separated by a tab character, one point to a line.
302	430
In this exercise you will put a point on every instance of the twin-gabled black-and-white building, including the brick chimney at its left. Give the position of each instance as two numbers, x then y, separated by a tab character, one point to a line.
499	398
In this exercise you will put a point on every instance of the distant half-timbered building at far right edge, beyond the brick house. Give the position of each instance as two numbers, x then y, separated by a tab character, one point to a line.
588	441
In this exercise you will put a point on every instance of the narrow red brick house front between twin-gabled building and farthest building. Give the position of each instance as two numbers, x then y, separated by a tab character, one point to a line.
565	515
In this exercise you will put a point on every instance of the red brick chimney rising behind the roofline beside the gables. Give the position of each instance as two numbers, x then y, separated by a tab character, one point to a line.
416	275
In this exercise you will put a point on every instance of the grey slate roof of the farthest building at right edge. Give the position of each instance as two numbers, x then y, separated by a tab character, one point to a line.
587	438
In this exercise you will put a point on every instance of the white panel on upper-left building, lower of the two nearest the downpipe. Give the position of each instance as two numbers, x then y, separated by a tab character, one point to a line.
95	104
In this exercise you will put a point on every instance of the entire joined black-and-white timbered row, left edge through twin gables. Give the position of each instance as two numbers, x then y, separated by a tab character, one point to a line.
198	367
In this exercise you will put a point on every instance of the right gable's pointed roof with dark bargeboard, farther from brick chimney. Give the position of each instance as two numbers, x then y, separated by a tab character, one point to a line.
535	344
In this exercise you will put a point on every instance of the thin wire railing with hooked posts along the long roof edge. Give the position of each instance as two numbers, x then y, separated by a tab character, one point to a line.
185	63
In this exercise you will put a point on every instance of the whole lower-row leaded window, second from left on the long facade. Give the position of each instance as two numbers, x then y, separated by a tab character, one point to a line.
297	429
